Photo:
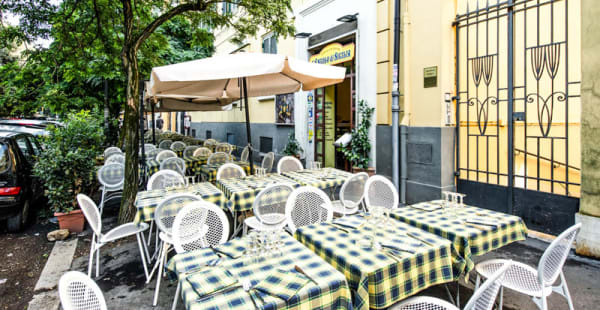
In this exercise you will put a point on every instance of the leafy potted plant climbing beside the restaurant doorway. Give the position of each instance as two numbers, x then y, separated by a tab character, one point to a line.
357	152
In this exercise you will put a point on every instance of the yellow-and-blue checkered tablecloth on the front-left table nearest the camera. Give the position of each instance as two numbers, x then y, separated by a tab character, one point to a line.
331	291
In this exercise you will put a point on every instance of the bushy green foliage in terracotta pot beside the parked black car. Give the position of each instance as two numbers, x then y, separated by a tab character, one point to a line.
66	167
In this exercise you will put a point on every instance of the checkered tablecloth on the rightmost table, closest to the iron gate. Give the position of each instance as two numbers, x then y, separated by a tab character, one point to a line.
468	239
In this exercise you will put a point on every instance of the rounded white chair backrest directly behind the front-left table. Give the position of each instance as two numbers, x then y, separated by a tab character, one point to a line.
199	225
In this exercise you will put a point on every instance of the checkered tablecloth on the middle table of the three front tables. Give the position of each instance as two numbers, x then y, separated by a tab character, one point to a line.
379	279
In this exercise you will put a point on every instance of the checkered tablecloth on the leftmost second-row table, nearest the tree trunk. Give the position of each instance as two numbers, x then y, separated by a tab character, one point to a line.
147	201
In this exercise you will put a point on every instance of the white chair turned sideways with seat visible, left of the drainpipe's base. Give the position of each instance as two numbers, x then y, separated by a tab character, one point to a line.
351	194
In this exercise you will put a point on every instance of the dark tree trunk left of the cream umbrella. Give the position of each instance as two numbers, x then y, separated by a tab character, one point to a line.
131	137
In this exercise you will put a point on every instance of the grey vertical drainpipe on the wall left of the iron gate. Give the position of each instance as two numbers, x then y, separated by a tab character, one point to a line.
395	95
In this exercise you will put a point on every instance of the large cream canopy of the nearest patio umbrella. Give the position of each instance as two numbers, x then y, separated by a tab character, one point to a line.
266	74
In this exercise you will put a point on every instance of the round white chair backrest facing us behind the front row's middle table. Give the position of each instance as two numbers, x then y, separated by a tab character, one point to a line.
307	205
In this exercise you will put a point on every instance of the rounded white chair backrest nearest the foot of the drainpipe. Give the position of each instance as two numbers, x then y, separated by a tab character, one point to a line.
380	192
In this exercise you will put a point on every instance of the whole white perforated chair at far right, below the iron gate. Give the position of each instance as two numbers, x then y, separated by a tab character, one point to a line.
537	283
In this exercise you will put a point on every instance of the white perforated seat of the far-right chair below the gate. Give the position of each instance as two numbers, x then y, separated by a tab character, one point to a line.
519	277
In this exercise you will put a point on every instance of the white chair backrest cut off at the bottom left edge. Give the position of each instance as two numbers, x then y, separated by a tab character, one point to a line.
77	291
